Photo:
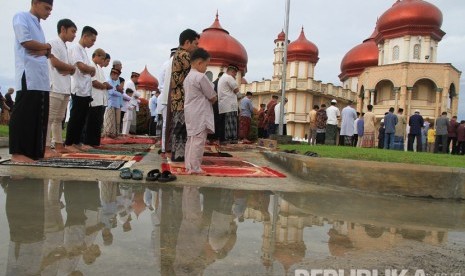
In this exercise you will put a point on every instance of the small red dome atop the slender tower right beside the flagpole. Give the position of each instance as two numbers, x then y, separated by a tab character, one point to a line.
302	49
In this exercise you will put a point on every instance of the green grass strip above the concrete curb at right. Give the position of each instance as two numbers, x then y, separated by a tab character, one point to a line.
380	155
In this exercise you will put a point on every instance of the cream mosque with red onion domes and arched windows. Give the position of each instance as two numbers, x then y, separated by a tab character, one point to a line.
395	67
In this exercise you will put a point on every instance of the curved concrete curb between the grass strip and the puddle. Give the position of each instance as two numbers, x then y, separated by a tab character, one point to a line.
376	177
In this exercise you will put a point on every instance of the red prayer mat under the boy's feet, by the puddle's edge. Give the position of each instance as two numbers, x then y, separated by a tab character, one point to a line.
225	167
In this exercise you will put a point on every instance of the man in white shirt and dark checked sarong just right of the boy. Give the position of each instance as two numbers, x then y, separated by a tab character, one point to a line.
227	102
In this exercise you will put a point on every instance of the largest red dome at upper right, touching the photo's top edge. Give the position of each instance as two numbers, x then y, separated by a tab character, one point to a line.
410	17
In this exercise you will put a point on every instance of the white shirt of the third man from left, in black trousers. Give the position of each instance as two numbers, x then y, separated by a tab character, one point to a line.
81	84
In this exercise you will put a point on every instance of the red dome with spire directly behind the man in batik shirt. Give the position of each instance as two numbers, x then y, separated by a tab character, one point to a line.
223	48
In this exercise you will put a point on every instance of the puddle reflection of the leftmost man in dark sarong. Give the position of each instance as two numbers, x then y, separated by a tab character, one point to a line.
25	215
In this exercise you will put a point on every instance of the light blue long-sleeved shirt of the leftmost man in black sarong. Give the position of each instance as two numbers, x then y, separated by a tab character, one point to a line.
27	27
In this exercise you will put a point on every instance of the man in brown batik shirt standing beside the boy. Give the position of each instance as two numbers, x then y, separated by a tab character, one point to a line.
188	43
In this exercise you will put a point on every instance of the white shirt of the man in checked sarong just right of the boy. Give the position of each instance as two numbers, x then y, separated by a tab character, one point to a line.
227	99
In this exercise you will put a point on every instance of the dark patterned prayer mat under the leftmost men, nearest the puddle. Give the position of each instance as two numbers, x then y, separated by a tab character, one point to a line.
71	163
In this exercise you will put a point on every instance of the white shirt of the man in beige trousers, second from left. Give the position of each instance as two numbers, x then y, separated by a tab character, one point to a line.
59	83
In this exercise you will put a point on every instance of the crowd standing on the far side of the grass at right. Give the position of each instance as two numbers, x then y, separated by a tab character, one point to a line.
443	135
